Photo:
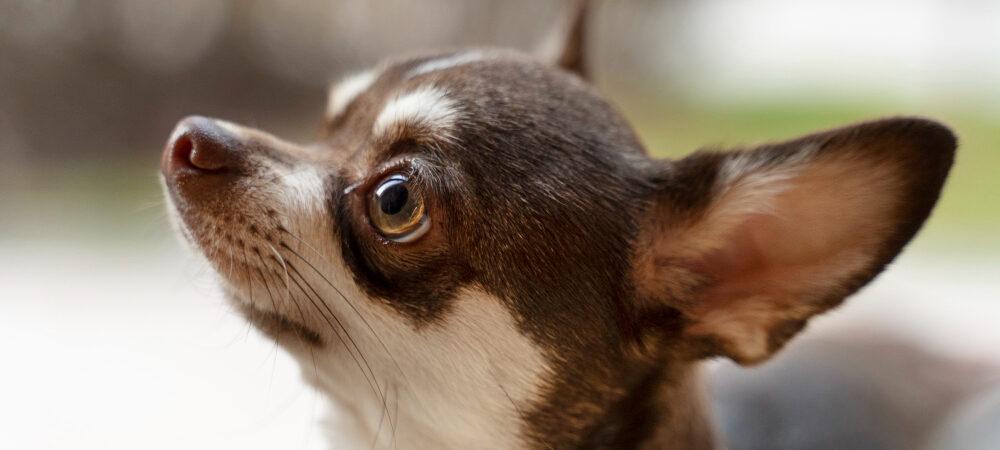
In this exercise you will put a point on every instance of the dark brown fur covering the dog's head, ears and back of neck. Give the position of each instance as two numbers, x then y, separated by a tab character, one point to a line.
624	270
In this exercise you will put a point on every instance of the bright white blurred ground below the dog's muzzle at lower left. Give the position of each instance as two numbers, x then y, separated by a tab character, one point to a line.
121	350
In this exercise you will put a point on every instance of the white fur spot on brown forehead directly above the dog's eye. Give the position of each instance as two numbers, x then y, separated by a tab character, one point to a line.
425	106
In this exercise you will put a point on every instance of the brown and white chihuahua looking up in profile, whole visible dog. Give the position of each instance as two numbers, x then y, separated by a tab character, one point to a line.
480	253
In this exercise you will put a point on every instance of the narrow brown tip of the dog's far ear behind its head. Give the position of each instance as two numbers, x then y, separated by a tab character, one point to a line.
565	46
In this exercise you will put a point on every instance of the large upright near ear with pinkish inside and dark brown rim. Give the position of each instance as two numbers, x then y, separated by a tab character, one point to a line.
748	245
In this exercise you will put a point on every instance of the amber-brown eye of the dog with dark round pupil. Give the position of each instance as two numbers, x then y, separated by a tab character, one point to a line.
397	210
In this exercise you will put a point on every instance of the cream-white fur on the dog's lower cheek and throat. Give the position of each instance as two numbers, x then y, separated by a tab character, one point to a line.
461	383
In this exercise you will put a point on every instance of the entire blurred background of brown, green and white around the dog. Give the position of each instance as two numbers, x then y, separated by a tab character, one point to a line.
112	335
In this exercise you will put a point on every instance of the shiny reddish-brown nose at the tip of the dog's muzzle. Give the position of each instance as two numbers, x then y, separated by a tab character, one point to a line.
199	145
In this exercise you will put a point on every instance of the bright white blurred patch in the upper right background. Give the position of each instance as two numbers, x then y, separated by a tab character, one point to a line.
903	49
